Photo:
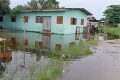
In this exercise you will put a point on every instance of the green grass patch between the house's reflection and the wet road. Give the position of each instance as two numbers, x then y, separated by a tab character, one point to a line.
83	49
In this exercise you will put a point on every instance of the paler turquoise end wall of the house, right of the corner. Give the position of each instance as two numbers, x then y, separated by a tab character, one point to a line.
74	14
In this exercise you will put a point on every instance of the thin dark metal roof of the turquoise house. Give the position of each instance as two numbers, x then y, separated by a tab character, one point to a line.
60	9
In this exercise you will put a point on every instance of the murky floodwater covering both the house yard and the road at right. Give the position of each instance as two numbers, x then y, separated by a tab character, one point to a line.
26	63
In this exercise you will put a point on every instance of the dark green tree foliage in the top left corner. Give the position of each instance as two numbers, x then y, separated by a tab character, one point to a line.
4	6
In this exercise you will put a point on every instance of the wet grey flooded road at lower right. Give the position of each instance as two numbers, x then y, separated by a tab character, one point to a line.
104	64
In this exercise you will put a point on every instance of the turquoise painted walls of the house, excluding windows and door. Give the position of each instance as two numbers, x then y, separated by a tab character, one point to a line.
65	28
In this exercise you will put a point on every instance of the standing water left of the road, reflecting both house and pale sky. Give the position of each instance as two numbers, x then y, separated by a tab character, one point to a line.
25	51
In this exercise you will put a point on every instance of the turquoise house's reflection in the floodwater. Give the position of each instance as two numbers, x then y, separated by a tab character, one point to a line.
42	41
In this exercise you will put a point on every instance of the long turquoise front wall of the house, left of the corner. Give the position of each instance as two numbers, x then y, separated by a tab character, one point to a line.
32	25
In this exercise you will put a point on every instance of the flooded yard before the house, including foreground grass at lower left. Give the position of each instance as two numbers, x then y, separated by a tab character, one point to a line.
31	59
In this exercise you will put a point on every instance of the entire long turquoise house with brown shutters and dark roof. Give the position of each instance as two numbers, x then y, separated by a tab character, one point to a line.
59	21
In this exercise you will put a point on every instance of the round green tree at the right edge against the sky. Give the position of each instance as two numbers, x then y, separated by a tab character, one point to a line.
112	14
